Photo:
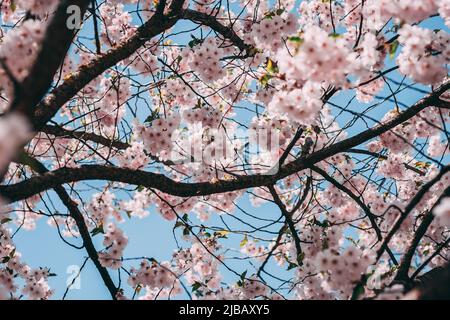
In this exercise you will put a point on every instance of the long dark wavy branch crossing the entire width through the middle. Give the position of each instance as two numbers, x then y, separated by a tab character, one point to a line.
38	184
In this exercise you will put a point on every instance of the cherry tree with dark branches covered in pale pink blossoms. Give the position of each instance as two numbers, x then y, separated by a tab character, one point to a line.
298	149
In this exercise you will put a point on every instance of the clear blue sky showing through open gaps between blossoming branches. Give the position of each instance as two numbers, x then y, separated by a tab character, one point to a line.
152	236
